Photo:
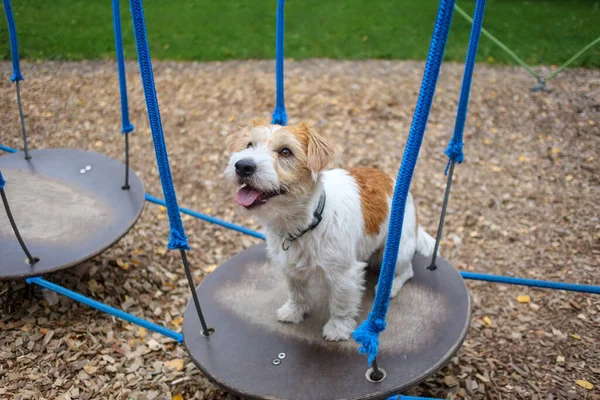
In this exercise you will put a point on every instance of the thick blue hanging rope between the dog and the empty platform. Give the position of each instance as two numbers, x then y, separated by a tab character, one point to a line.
177	238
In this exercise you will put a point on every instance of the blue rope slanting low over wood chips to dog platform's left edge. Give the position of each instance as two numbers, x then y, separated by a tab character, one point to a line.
106	309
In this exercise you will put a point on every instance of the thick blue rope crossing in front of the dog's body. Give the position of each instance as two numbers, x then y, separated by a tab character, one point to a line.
367	334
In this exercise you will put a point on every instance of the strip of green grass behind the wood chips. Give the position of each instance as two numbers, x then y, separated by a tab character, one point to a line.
539	31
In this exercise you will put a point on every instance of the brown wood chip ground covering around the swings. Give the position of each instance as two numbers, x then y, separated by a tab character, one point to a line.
524	204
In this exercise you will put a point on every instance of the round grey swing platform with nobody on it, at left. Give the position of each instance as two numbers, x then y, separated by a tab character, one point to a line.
68	205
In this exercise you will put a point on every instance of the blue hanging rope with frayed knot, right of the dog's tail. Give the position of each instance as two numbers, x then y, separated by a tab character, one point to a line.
455	147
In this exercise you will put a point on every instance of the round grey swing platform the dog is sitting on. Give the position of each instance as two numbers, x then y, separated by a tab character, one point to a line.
254	356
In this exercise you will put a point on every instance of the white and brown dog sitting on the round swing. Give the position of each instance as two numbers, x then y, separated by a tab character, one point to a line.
328	222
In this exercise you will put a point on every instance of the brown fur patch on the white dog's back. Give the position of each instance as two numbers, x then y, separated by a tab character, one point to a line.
375	188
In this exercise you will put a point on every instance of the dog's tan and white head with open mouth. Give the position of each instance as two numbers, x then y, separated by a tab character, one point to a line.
273	165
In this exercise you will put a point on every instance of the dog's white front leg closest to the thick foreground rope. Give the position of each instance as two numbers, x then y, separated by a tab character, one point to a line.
346	290
